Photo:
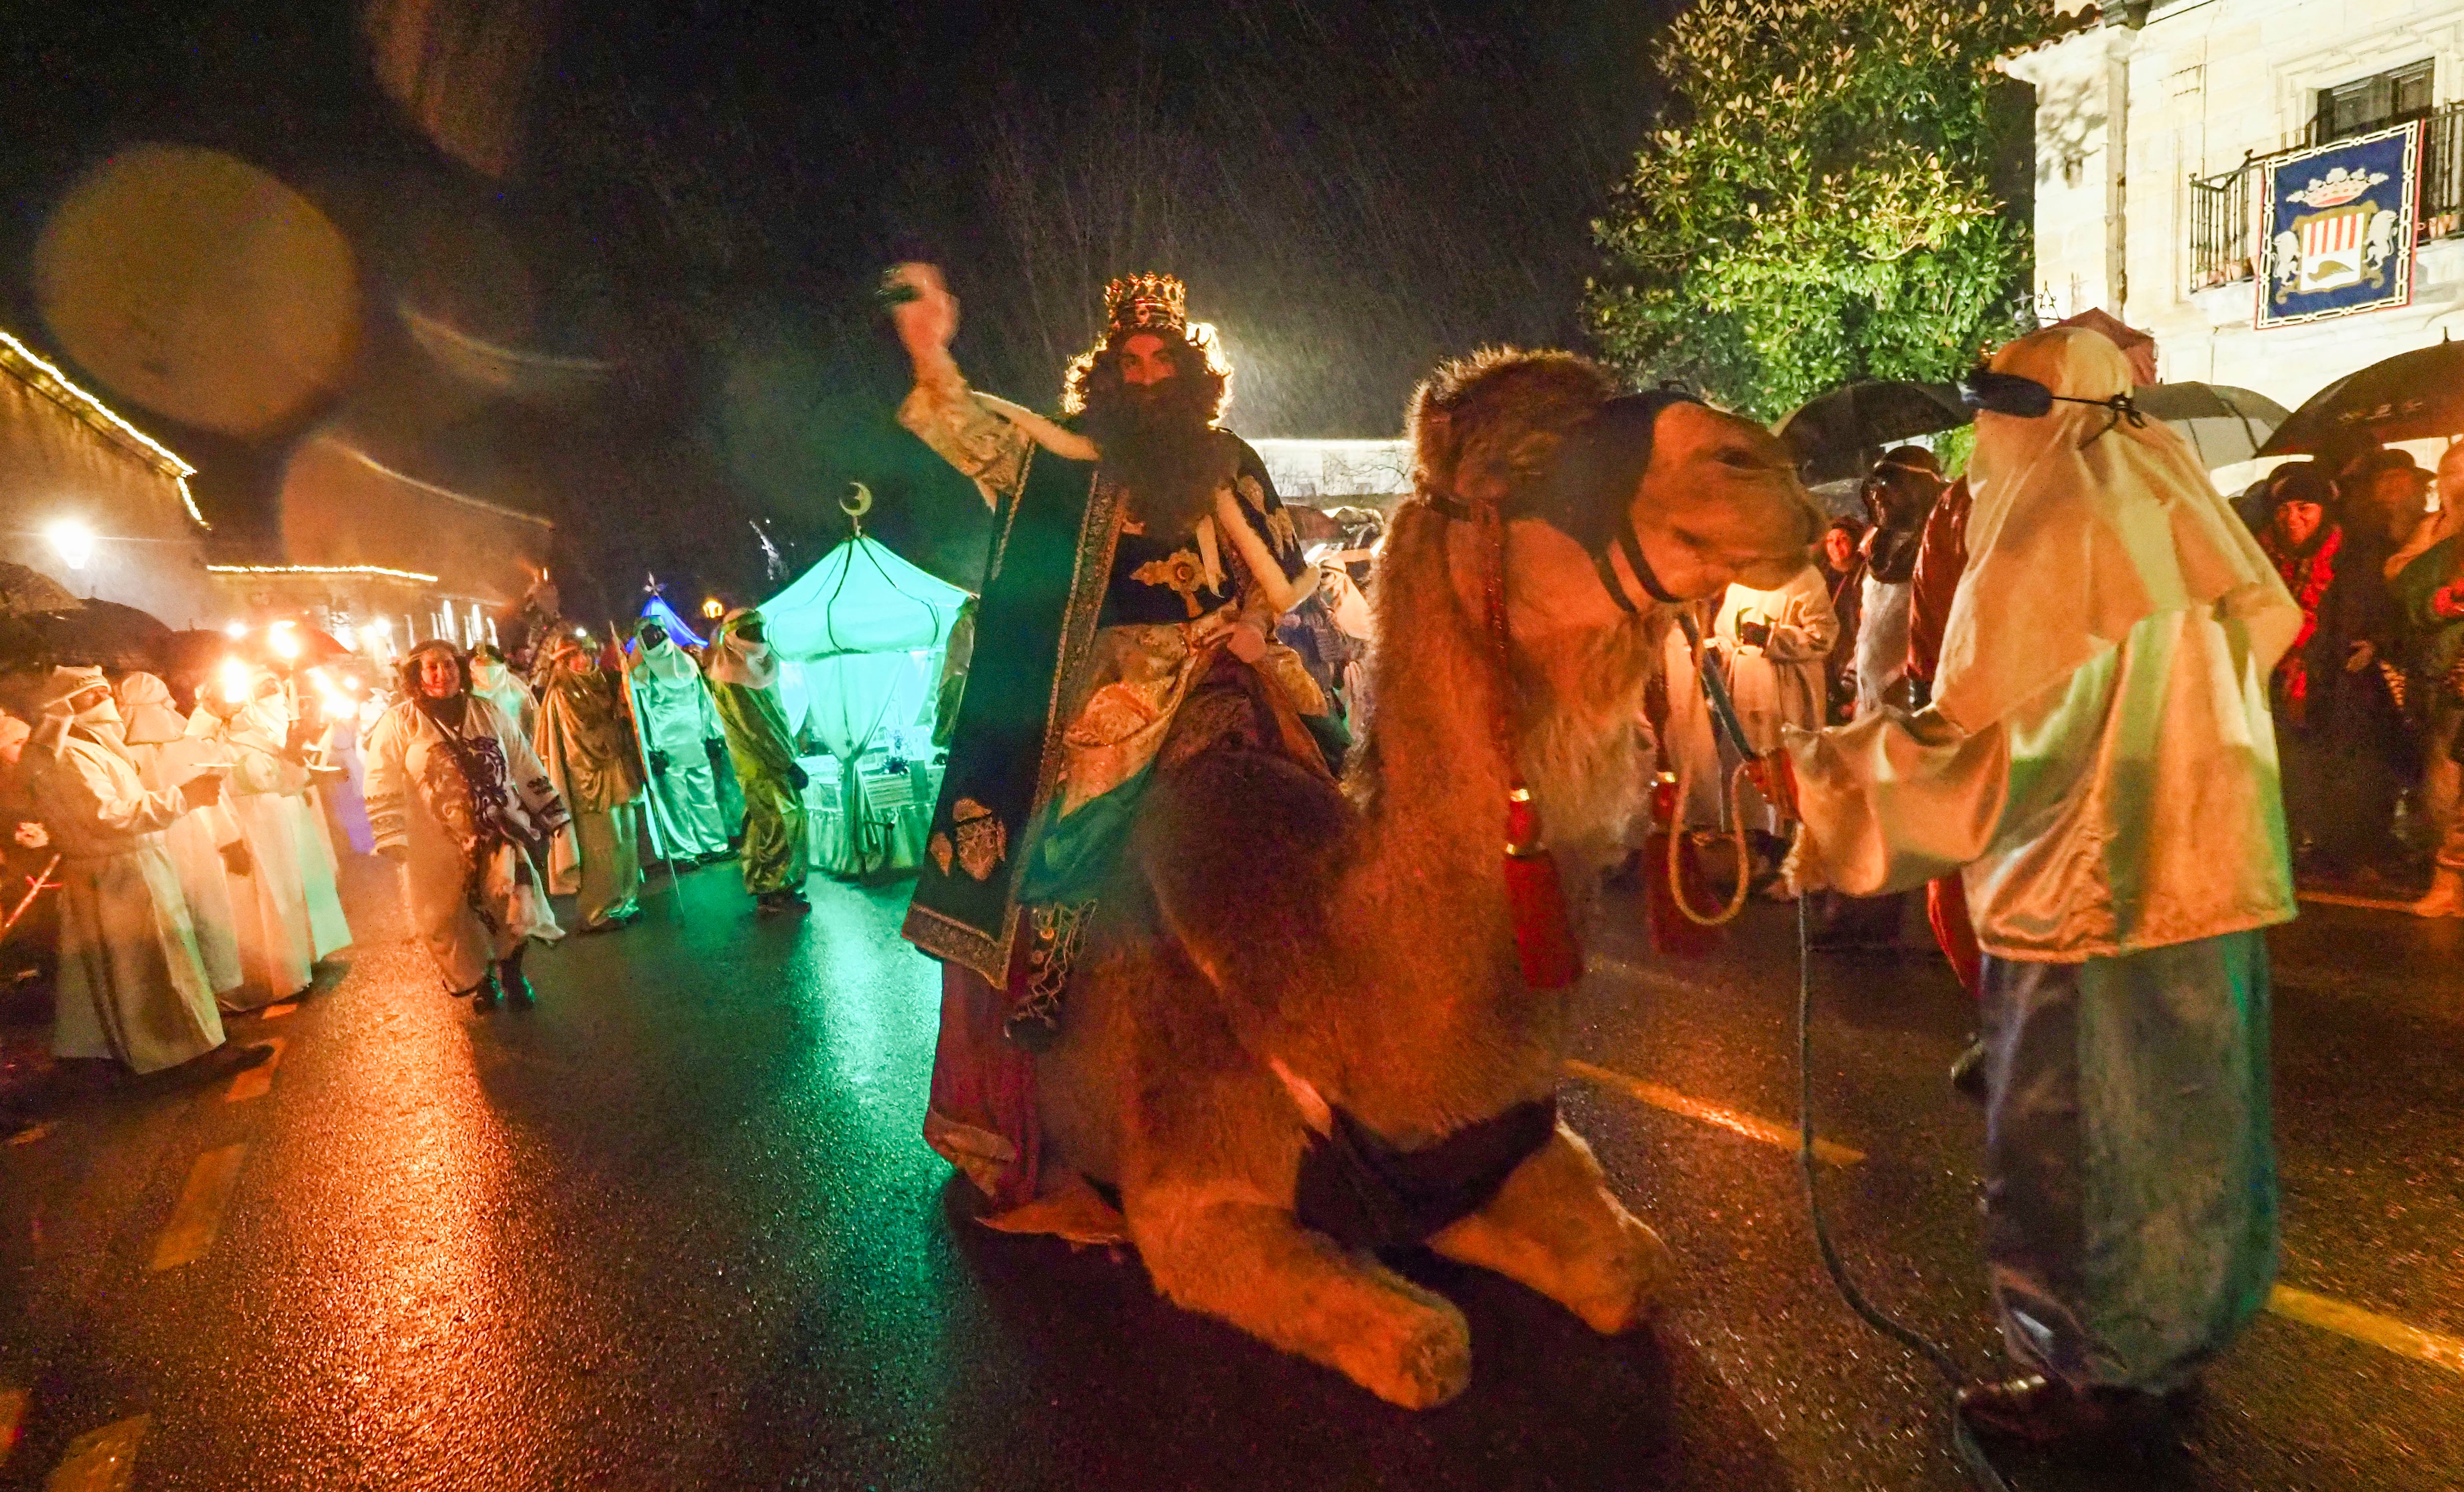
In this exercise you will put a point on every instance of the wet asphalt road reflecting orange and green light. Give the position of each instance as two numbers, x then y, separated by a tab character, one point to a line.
676	1229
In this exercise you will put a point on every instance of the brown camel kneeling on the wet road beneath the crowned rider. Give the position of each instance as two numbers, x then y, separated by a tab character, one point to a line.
1280	958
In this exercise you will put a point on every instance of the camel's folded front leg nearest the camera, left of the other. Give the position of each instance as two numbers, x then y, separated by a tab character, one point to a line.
1263	1271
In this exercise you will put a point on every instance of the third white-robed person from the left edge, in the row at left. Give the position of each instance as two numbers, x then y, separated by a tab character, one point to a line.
270	901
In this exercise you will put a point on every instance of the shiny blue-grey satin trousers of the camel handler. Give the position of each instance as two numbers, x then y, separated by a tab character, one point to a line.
2130	1160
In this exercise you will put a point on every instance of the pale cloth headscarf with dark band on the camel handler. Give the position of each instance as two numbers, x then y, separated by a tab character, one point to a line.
2088	524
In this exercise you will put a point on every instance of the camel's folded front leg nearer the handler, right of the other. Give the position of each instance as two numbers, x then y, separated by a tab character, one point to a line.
1558	1229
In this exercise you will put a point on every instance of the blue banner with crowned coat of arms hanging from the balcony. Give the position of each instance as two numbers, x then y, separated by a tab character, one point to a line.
2340	226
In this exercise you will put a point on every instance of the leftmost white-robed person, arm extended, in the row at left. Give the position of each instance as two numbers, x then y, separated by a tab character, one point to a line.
132	985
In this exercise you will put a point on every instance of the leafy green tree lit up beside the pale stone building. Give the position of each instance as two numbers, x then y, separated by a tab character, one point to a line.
1822	203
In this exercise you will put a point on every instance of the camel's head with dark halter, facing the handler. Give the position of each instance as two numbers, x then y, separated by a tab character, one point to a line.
1652	494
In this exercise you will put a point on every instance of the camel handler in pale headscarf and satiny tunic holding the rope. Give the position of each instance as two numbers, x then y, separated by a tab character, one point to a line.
2101	763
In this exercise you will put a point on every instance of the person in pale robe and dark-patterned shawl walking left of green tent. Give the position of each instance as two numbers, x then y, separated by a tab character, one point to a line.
462	803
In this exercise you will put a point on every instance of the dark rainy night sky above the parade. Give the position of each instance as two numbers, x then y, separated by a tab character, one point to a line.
703	194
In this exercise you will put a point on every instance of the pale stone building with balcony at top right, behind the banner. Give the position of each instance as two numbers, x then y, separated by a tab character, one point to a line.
2157	127
